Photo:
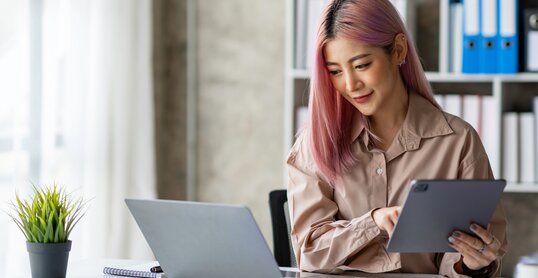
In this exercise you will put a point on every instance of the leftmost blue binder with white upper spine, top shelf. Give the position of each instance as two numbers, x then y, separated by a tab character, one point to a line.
471	36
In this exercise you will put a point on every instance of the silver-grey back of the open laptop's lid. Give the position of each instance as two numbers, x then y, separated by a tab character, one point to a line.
192	239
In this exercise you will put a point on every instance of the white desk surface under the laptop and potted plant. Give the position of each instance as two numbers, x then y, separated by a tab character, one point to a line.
94	269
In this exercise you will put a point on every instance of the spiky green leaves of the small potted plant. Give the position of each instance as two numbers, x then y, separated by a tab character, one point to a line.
50	215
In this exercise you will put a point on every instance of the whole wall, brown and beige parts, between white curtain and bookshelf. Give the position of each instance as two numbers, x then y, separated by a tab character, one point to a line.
240	81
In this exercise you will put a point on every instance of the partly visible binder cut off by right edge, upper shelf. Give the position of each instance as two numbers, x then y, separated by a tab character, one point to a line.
531	39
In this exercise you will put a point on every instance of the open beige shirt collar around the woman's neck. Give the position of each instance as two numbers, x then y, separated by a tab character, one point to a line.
423	120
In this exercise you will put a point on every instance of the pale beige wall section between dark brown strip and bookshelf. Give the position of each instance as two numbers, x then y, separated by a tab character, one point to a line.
240	102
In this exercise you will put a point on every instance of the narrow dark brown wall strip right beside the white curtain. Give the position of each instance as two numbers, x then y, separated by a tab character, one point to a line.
170	86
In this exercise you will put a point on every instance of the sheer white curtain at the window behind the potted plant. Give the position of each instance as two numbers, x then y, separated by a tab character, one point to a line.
95	122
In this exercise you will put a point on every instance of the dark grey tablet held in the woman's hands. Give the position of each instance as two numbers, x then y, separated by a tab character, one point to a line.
434	209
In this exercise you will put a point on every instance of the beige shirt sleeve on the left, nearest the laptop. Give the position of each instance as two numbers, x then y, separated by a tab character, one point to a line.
321	242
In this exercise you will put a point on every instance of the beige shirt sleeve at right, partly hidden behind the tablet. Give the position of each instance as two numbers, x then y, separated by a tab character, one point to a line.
475	165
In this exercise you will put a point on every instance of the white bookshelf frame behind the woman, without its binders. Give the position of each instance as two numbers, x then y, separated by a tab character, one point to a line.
509	93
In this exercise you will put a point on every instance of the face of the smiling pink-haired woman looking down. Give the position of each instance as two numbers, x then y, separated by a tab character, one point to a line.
366	76
